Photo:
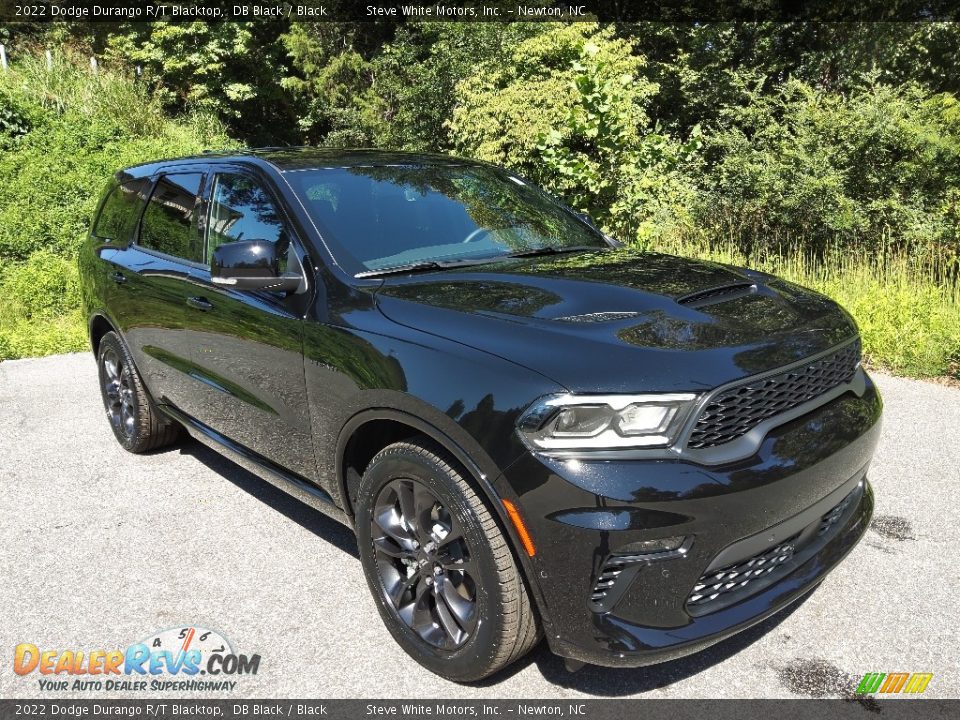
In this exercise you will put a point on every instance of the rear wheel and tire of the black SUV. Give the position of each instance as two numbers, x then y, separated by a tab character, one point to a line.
134	418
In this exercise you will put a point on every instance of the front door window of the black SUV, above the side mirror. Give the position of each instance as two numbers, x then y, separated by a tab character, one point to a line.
241	209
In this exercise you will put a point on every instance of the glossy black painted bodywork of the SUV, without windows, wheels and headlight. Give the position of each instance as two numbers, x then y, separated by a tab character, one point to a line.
292	384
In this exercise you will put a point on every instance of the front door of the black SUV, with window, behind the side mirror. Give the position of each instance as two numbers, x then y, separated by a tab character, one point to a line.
248	345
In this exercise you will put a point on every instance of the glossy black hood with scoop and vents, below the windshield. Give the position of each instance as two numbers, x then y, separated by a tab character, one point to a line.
621	321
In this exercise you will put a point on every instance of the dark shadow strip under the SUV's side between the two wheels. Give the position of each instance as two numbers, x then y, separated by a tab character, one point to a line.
307	517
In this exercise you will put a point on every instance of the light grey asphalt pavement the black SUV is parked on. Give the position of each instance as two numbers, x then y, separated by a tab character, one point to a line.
100	549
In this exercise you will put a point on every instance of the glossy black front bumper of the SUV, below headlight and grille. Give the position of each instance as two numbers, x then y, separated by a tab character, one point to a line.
608	505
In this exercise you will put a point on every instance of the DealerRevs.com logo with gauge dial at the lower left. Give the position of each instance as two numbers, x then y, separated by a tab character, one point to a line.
186	658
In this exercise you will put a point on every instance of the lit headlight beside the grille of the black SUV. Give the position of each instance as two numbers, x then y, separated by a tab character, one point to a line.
605	422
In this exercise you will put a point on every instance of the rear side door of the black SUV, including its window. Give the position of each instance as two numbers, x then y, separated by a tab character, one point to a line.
155	279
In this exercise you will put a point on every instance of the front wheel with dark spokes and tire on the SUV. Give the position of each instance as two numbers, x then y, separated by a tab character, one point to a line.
407	487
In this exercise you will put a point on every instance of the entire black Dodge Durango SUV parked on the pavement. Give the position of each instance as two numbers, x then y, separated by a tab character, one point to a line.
533	431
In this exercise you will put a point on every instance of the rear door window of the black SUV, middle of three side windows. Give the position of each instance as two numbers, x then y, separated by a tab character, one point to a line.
169	223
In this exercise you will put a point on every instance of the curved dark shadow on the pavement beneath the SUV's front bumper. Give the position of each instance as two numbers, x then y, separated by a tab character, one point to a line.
614	682
